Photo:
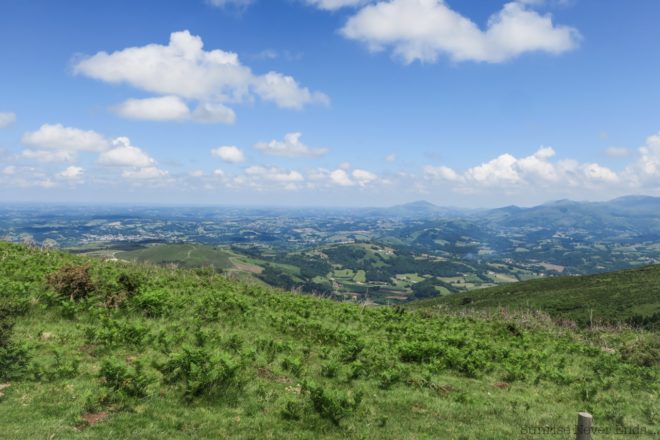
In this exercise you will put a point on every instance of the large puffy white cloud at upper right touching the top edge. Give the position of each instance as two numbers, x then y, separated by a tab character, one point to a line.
425	29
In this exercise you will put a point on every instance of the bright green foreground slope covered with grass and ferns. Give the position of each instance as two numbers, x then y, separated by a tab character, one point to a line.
295	358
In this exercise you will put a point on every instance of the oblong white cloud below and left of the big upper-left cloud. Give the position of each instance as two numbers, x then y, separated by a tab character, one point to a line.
56	136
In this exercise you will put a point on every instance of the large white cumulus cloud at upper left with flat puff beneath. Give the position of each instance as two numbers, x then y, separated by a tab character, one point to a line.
183	69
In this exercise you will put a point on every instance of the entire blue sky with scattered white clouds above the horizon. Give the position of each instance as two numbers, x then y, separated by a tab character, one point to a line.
328	102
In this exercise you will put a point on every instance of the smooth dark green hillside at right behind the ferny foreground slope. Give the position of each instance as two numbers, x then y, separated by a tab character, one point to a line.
630	295
